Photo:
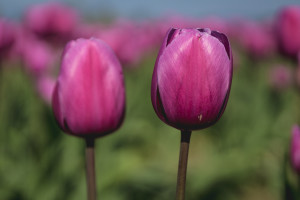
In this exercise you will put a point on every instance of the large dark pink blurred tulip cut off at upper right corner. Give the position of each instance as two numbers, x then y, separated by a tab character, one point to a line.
288	29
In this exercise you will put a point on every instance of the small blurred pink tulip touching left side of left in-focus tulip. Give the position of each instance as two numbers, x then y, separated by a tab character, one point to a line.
45	86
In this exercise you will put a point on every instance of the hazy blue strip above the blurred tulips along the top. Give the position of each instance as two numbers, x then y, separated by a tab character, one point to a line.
140	9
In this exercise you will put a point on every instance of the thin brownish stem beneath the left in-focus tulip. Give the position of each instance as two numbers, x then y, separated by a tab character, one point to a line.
90	168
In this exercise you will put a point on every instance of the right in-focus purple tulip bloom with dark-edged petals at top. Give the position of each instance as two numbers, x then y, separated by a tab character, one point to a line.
192	78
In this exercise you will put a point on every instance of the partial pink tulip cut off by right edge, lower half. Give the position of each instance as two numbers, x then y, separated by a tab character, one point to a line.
295	148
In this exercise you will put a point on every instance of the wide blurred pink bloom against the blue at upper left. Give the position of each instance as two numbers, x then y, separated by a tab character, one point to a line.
51	19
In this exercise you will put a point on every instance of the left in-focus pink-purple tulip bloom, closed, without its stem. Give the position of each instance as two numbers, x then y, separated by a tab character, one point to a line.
89	96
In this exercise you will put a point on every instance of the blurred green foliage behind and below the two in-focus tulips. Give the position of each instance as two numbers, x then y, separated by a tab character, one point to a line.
241	157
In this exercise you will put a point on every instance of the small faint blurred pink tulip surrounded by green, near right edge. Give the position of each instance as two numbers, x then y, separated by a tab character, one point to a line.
280	77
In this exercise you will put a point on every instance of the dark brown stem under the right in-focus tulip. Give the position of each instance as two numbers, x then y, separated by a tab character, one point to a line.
182	166
